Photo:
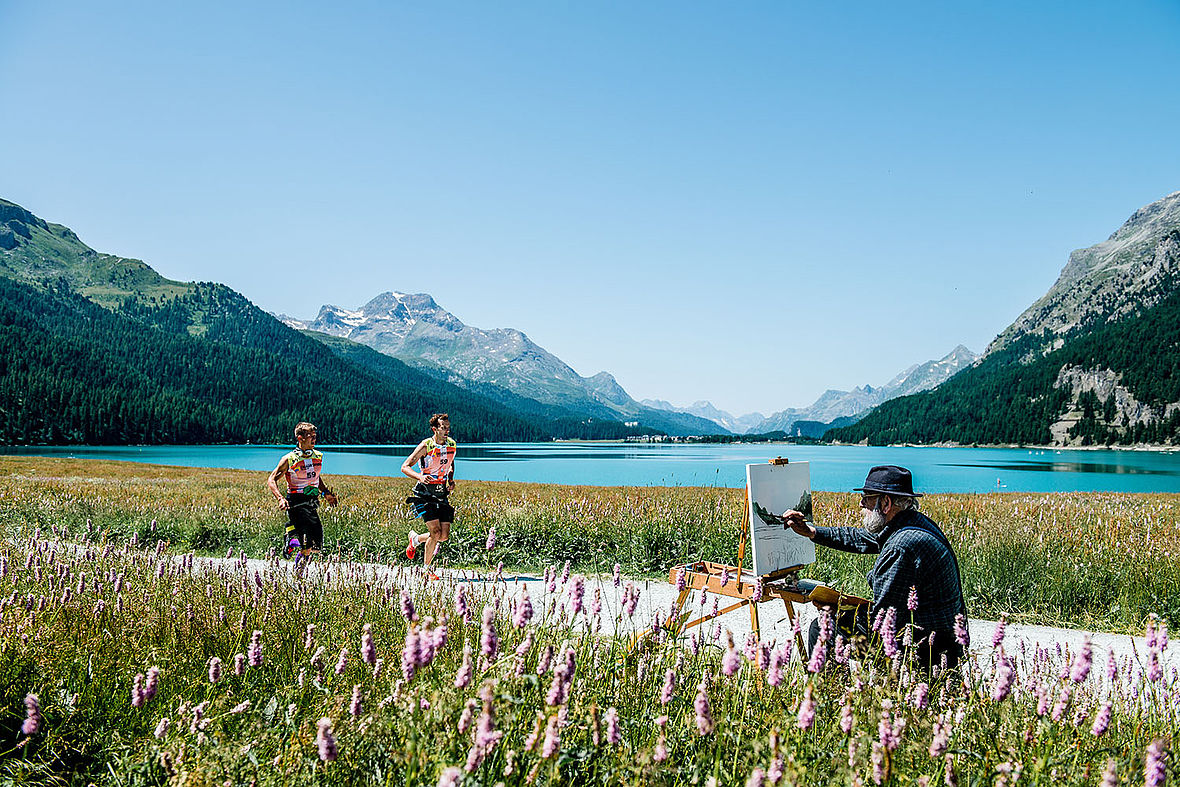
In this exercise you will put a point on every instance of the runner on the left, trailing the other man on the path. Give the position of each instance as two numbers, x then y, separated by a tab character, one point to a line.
305	486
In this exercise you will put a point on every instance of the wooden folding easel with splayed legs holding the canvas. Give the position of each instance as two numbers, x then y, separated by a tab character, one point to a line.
783	585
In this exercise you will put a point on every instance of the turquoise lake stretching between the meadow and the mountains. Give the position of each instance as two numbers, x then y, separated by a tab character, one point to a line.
832	468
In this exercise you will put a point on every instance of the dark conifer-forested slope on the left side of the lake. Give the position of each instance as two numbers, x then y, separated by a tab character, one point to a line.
211	368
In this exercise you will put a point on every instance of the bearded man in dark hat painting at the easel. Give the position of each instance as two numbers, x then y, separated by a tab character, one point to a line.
916	573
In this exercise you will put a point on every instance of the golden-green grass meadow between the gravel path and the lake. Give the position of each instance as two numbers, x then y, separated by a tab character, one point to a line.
1099	561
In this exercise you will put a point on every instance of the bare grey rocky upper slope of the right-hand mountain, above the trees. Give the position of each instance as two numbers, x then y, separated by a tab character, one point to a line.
1131	272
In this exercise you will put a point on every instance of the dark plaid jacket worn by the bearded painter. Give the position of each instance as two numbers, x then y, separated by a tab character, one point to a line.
913	553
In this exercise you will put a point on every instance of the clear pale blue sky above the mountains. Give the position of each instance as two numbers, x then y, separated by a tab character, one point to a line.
743	202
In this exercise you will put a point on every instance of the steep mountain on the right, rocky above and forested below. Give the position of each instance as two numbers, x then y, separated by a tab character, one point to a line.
1097	360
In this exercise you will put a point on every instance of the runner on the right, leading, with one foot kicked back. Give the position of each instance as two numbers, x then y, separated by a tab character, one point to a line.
435	475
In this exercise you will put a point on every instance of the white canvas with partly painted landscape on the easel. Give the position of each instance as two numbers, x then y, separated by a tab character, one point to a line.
773	489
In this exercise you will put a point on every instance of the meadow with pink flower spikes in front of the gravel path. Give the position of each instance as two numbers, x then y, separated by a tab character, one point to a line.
123	665
